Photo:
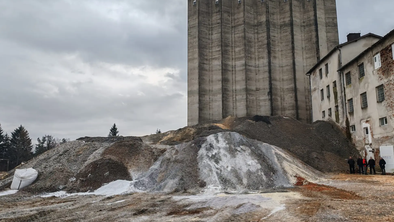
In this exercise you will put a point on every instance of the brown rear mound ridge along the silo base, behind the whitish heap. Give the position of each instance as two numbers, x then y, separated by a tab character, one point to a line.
321	145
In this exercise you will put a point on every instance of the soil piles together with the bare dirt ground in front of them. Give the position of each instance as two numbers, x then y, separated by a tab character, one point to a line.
258	169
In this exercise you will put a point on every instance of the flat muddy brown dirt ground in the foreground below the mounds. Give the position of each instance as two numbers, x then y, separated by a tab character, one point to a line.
343	197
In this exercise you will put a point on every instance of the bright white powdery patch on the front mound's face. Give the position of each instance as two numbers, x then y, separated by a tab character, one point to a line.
216	159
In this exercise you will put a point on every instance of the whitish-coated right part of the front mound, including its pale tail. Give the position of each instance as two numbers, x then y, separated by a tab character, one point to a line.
229	161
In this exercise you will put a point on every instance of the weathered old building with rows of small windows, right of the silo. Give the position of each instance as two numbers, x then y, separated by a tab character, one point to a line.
362	85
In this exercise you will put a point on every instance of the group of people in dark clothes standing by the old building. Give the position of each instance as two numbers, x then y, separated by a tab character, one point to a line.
363	165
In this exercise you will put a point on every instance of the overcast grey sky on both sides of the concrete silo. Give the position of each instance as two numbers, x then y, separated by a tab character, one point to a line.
72	68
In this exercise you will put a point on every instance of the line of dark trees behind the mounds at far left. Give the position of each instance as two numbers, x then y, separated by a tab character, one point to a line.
18	147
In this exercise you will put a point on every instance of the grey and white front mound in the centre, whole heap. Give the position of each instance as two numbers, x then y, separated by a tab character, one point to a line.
224	161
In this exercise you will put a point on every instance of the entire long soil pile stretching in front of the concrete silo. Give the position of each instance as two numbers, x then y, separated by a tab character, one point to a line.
234	155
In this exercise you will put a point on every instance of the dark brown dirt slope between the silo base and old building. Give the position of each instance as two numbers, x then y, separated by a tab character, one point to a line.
321	145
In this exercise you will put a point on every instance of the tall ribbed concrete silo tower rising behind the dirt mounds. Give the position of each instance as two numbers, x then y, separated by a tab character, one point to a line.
250	57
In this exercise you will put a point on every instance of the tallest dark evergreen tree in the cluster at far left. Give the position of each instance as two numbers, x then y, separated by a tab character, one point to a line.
20	146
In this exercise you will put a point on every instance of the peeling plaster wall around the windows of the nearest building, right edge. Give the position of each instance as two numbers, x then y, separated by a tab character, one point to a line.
381	135
